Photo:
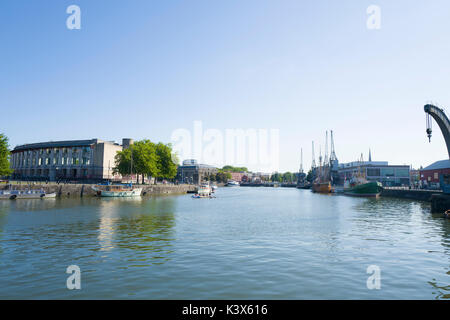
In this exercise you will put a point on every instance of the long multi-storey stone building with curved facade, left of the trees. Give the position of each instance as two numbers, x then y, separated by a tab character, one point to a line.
62	160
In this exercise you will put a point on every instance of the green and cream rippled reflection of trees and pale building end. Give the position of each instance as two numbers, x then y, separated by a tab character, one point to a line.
141	229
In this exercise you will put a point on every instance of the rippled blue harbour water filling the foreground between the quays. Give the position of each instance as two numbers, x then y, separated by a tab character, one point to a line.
248	243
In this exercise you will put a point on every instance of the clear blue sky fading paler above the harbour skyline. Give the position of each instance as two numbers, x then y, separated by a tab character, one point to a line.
142	69
